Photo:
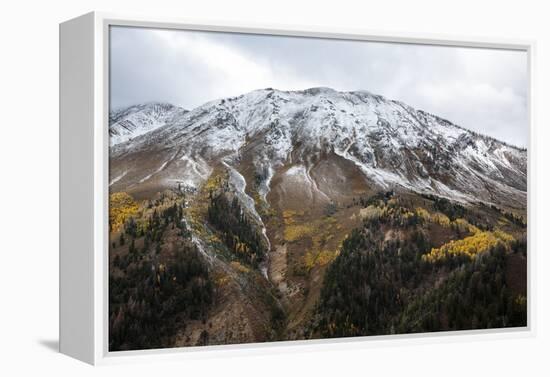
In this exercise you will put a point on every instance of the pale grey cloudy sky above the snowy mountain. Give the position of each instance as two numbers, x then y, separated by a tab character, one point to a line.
480	89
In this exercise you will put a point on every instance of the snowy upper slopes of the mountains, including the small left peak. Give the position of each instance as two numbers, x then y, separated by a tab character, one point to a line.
270	132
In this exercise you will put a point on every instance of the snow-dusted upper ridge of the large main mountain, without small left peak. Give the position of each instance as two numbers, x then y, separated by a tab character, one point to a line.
391	143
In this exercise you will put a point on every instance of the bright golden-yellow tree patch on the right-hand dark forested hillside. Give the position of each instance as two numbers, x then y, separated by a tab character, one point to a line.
470	246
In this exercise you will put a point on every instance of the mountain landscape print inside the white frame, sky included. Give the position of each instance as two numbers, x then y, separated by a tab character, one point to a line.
267	188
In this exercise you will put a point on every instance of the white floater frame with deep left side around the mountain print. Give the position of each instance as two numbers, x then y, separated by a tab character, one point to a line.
84	148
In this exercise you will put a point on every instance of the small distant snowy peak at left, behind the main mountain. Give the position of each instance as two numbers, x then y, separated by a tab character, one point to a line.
127	123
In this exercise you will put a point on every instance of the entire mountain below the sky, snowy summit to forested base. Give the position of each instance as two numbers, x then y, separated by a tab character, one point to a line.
282	215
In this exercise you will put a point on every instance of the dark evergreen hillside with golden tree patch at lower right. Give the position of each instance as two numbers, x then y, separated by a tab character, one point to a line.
397	274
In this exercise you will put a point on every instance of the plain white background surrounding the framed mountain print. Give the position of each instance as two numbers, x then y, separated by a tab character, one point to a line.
29	185
